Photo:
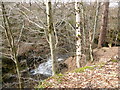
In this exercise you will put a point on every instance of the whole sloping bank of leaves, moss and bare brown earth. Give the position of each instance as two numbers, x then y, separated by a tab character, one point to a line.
103	73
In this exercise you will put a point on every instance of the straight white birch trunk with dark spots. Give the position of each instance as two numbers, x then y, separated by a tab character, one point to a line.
78	34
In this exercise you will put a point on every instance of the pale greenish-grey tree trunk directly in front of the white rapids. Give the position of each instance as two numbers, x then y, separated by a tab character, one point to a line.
51	35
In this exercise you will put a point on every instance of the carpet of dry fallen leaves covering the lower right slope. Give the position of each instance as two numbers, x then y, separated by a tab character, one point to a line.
100	77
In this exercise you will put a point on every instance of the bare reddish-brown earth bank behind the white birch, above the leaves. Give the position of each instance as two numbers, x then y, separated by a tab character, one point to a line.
100	55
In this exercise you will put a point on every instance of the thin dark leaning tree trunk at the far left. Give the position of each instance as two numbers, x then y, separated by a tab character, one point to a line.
11	42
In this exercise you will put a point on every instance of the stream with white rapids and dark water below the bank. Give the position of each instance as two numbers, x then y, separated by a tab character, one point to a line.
43	71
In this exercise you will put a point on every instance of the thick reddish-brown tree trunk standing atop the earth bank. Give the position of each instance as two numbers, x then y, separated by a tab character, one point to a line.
103	29
